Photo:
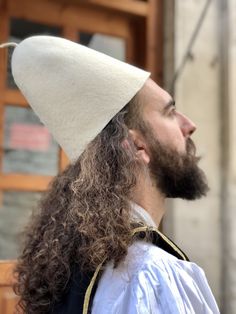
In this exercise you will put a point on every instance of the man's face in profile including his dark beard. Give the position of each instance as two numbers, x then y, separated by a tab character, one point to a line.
173	163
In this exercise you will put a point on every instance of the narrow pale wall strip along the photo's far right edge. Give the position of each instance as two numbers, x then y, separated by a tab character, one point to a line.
230	228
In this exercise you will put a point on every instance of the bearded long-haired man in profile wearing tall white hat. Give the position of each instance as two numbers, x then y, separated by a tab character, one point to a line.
94	245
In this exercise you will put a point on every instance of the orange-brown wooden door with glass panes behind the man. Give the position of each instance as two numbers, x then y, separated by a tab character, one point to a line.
124	27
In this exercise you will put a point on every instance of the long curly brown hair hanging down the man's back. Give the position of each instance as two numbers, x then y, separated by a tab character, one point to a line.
83	218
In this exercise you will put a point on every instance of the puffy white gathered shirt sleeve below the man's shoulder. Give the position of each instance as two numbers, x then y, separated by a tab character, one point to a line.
163	289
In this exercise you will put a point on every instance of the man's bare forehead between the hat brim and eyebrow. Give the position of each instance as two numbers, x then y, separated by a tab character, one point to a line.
153	97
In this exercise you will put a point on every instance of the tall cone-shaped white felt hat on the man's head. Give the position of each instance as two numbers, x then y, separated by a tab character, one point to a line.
73	89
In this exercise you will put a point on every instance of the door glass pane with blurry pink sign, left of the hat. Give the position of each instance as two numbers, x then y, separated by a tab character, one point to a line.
28	145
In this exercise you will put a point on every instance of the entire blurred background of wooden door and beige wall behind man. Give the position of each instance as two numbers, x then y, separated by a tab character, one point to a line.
190	48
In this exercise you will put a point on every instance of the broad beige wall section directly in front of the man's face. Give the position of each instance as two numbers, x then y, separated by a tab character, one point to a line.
196	225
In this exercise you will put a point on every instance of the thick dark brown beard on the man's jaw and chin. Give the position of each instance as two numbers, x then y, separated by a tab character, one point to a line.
177	175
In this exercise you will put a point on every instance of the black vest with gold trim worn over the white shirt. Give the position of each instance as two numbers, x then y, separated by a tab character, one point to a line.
81	289
